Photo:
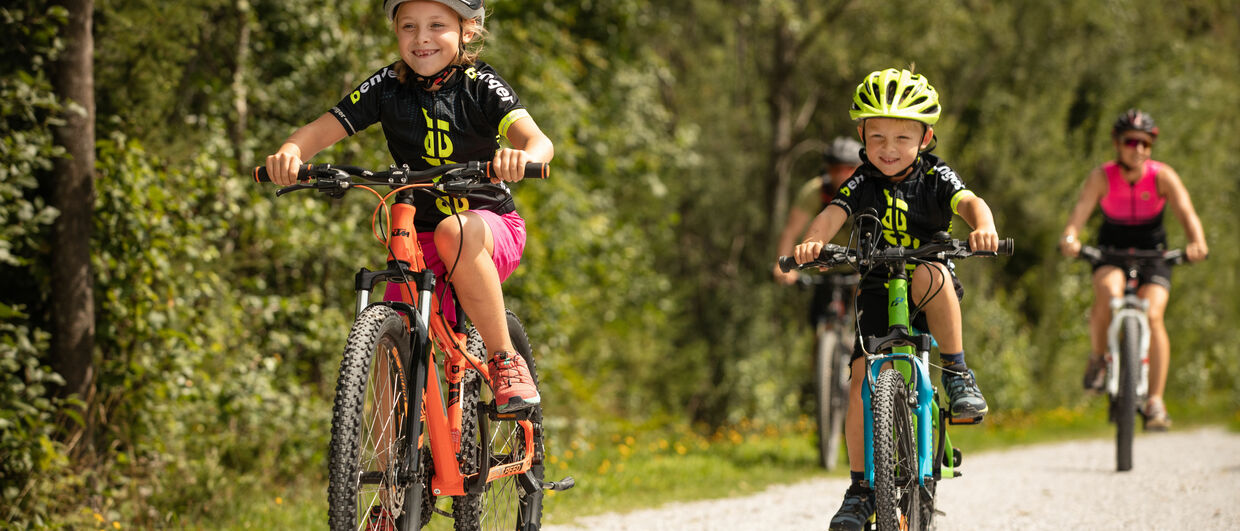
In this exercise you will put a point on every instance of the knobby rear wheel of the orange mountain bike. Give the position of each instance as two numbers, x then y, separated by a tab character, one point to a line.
503	504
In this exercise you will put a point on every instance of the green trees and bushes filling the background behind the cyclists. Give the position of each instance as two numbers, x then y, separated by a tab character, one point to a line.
645	282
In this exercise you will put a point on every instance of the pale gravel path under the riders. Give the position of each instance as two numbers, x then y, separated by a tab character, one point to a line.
1179	481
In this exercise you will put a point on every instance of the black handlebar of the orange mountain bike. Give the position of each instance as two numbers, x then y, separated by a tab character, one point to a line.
335	177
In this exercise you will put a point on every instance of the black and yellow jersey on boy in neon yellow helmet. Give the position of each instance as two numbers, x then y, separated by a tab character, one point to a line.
913	210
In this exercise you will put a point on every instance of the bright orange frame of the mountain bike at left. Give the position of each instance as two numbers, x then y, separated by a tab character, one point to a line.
443	417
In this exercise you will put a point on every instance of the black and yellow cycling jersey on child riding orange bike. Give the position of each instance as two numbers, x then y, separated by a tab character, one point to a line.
461	122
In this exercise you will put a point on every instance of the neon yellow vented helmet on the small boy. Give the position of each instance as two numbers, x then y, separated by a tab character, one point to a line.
896	94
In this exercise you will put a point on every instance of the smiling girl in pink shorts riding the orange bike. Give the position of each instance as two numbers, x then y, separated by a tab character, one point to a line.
438	105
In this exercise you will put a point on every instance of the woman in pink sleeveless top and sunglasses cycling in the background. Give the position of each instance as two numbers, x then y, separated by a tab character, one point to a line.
1134	192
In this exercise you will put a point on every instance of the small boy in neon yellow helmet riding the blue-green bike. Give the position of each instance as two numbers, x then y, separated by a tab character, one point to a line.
917	195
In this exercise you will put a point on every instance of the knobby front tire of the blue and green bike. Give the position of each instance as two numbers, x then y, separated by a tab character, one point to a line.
897	491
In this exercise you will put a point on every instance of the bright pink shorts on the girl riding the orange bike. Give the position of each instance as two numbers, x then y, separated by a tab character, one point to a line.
508	231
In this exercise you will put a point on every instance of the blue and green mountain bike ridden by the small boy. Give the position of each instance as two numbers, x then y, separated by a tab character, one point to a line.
907	445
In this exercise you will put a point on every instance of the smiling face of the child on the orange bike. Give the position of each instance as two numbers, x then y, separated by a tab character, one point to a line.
428	35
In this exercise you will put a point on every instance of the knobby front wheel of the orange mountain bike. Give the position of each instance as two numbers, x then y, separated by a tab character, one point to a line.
370	448
